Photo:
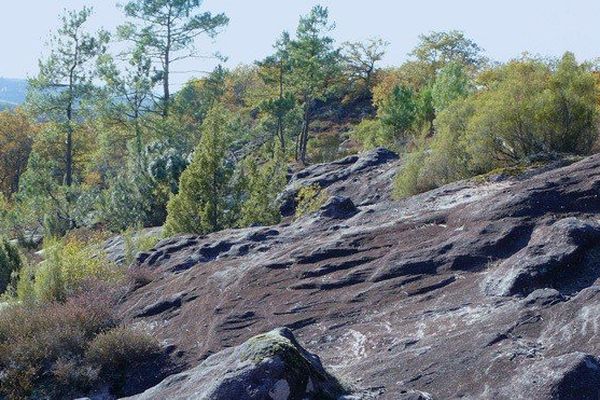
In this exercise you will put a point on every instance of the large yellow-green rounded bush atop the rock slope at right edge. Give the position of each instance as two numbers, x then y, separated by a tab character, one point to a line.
528	108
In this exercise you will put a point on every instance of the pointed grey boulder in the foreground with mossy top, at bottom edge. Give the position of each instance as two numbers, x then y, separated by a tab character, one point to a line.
269	366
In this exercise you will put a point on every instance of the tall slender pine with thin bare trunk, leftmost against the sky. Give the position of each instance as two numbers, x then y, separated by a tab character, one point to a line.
60	90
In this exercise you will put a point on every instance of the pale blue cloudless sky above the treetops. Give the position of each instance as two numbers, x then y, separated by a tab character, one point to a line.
504	28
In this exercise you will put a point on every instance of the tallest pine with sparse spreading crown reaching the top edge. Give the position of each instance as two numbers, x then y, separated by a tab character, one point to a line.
169	29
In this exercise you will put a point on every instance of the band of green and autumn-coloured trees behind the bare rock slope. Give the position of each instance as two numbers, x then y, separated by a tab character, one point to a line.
102	140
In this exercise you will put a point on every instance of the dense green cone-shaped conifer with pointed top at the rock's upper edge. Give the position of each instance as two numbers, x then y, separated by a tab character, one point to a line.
203	203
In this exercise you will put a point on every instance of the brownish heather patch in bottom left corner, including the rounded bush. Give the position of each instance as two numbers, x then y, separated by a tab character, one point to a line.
64	350
